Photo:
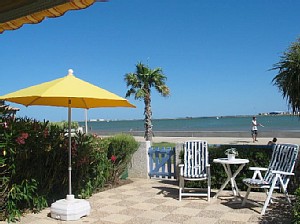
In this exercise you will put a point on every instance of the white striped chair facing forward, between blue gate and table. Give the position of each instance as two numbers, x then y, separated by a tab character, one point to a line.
195	168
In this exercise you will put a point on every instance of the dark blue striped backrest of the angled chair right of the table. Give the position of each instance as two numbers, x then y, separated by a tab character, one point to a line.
284	157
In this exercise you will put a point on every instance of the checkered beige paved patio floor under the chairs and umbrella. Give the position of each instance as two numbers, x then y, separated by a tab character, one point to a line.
155	201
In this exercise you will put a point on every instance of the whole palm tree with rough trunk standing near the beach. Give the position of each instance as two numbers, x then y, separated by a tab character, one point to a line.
140	84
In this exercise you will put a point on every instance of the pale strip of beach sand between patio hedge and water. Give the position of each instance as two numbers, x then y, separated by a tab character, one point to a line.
221	140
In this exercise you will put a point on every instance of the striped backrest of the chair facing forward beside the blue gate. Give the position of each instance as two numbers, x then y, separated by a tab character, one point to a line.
195	159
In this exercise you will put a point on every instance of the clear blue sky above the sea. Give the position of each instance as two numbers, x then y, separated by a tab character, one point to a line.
215	54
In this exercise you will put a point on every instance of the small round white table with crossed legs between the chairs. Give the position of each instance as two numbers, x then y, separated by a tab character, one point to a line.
231	177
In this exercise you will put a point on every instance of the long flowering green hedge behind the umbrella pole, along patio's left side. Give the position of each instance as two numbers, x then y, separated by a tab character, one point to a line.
34	164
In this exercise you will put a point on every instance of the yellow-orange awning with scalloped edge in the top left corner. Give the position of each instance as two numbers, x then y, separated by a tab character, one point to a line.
15	13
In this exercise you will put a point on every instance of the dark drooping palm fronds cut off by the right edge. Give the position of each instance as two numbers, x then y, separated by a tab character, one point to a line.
288	77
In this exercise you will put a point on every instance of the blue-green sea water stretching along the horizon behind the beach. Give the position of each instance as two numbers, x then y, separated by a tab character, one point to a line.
273	124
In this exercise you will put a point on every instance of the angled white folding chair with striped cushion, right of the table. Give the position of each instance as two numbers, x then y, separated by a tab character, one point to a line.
277	175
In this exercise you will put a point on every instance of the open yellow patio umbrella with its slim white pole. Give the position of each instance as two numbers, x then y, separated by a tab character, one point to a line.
70	92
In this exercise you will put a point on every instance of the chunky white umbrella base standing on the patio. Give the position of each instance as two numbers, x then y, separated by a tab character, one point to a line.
70	208
